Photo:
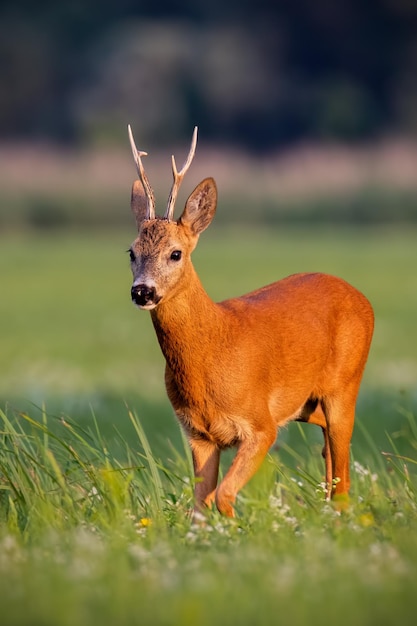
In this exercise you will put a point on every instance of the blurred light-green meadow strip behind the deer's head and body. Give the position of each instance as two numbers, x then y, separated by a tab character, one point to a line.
68	323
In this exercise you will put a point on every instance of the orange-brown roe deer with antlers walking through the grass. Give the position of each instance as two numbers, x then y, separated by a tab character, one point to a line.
238	370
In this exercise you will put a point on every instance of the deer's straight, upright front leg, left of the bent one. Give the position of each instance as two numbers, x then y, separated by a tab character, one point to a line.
206	459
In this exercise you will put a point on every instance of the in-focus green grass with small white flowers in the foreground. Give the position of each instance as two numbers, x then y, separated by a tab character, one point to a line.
87	537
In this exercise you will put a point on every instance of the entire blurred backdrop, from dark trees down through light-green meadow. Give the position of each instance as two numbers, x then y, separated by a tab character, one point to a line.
307	115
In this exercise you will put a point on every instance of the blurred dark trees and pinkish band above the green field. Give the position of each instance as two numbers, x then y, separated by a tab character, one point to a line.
305	100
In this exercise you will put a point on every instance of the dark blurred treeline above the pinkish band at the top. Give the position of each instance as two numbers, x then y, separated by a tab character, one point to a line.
247	72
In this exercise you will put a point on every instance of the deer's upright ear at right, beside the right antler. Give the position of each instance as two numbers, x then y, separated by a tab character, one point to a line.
200	207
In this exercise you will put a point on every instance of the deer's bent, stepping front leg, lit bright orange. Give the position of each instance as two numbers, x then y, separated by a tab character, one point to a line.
247	461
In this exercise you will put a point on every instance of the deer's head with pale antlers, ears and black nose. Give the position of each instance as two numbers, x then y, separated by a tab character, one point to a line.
160	255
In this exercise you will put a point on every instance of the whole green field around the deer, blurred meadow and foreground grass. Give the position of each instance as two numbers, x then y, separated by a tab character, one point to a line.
95	479
